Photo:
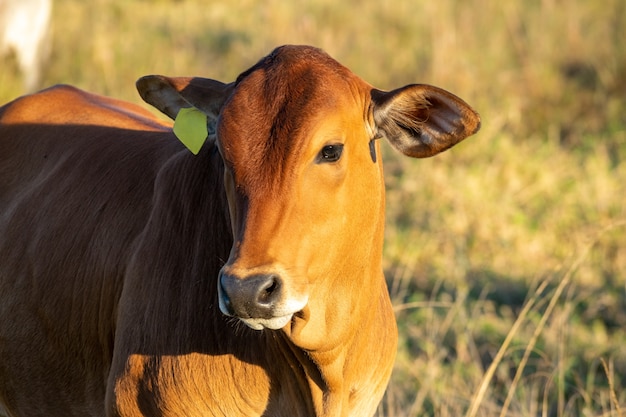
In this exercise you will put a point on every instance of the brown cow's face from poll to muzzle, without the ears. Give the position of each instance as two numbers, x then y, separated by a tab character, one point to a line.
301	185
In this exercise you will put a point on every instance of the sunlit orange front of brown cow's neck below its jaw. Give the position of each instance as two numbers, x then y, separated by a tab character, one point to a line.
338	373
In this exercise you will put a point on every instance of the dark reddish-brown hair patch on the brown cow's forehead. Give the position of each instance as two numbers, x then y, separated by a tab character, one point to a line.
271	110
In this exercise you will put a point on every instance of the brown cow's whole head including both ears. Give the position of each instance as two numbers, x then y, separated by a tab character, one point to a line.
297	133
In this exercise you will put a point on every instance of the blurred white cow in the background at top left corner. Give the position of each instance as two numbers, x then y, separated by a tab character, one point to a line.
25	31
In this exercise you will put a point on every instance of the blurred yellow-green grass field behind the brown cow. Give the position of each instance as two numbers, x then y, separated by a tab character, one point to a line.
506	256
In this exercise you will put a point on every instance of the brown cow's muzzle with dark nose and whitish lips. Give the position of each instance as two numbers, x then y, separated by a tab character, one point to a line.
259	300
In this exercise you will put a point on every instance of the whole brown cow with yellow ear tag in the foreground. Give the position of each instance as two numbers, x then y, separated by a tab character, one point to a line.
139	279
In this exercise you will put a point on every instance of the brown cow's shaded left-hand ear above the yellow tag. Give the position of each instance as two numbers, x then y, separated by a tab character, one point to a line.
169	95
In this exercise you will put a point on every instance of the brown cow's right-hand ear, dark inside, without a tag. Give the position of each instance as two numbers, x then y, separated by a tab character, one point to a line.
422	120
